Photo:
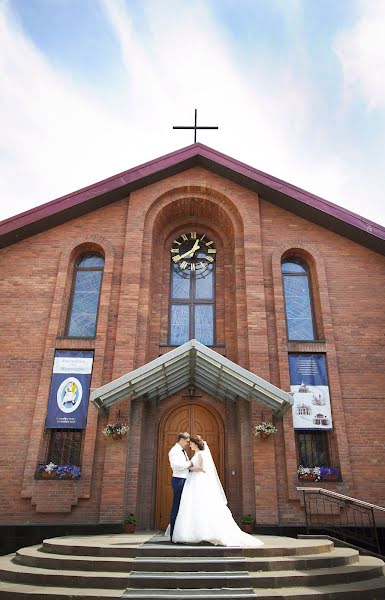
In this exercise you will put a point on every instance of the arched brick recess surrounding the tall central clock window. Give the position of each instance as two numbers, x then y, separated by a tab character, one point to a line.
193	208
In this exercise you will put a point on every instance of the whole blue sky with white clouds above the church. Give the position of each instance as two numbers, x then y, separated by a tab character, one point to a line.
90	88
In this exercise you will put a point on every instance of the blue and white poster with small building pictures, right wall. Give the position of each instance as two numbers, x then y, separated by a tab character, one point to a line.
310	390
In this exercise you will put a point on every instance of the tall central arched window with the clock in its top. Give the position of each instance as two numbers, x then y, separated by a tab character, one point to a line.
192	290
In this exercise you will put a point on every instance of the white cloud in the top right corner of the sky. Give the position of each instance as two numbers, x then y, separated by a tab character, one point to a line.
361	51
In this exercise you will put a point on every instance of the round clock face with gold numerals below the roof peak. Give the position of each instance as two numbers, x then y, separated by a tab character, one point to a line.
193	252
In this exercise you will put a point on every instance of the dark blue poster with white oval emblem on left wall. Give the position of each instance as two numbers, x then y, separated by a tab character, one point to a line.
69	391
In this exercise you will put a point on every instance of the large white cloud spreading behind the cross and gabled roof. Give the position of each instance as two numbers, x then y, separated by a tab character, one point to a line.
57	135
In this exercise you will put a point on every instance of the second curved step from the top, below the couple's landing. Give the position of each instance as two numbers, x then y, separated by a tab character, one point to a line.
33	556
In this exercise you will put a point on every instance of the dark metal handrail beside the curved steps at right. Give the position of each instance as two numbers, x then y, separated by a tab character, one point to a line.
351	519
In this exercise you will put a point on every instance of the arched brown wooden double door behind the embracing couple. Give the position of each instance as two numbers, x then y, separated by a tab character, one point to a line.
196	419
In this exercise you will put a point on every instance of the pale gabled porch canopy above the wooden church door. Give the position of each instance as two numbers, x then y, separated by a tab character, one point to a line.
192	364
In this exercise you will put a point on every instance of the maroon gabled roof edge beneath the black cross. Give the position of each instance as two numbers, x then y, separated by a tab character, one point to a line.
274	190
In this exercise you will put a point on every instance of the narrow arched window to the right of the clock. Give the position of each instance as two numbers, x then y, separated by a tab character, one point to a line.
298	306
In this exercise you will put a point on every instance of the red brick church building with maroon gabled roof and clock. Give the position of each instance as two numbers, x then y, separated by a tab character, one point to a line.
191	293
